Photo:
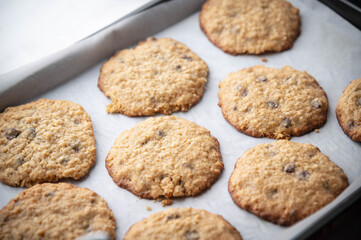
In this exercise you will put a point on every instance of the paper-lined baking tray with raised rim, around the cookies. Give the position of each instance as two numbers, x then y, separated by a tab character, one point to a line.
328	48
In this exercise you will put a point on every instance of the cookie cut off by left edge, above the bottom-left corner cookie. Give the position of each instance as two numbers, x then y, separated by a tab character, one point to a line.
45	141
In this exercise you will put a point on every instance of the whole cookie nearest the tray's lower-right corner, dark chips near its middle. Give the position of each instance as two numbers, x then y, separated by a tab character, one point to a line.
284	182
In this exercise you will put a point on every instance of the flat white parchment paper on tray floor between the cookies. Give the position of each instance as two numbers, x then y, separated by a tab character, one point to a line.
329	48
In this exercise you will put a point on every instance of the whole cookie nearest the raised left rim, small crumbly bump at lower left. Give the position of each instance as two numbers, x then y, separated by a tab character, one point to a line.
157	76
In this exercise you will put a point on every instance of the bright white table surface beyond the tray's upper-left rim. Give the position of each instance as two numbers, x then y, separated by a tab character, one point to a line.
31	30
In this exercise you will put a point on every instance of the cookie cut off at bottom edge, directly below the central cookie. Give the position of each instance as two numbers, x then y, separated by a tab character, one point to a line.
183	223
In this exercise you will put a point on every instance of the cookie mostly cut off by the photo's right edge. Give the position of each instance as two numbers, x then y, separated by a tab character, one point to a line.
348	110
